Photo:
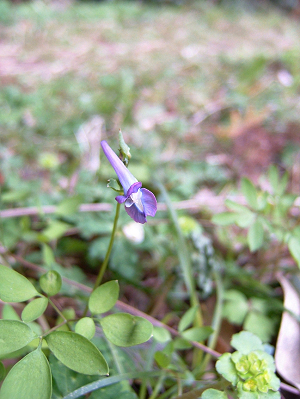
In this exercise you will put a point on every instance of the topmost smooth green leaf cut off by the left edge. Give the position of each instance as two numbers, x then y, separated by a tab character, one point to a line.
14	287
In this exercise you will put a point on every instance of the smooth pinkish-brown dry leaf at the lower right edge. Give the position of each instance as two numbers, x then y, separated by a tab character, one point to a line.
287	355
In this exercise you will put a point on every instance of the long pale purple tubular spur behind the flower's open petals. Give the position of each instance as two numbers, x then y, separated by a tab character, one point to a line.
125	177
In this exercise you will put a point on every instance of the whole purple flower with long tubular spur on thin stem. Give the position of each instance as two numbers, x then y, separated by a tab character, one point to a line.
139	202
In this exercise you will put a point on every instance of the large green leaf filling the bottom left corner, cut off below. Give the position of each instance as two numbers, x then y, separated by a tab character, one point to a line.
29	378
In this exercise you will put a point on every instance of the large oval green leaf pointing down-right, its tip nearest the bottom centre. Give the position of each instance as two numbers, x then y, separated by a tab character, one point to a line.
77	352
